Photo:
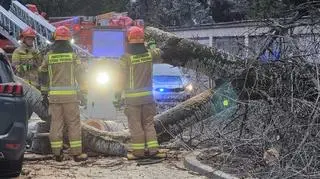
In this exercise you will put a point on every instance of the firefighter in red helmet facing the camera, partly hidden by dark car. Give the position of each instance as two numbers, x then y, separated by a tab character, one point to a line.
26	59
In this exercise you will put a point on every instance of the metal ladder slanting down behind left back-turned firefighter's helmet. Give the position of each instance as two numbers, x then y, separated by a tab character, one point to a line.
41	25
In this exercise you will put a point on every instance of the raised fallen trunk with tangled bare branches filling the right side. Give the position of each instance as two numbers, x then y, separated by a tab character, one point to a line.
286	125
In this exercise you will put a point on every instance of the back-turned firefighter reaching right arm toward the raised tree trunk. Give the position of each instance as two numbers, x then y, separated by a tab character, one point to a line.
136	67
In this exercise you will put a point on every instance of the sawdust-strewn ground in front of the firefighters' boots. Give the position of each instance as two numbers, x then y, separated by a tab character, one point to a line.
107	167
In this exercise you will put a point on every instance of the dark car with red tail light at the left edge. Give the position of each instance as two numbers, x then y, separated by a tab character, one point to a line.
13	121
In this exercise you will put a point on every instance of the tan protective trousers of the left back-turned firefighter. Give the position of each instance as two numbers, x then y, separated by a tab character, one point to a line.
65	114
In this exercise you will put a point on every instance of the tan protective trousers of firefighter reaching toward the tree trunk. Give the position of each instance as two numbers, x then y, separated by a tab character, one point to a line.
141	126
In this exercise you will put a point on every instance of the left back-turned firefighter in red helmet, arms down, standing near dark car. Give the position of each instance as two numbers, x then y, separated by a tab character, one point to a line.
63	69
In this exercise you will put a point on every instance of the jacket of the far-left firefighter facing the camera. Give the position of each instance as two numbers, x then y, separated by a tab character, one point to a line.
26	61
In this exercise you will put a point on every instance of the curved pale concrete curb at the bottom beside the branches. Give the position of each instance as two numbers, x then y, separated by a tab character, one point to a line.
192	163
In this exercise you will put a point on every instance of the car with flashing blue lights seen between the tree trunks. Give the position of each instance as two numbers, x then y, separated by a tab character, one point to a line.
170	85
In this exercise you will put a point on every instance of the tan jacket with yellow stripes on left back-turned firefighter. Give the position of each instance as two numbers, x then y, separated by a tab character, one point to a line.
63	71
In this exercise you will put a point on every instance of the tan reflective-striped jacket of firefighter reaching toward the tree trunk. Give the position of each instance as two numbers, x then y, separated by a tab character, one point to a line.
136	77
